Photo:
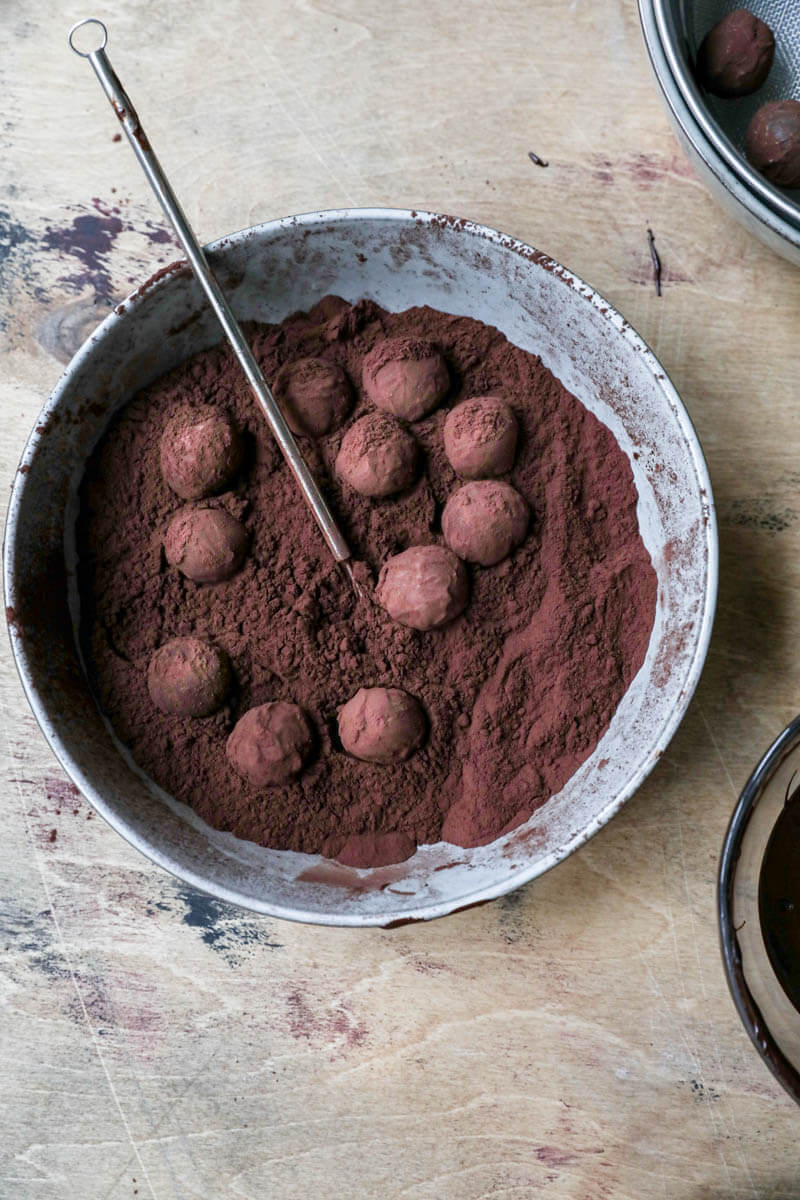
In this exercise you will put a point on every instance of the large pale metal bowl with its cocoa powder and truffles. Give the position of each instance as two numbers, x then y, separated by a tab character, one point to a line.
533	533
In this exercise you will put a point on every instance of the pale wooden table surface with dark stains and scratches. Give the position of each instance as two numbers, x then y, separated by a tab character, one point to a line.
576	1037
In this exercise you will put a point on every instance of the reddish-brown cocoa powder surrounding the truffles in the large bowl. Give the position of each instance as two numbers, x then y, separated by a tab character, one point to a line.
518	691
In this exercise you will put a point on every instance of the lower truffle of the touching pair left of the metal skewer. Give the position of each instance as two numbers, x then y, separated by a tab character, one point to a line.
206	545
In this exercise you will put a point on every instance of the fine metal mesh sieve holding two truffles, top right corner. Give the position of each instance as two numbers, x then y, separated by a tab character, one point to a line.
683	25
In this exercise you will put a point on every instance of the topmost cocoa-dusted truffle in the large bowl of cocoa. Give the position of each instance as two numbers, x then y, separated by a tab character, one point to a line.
406	376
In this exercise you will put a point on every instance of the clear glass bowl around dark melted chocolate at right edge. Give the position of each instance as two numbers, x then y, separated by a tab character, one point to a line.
769	1017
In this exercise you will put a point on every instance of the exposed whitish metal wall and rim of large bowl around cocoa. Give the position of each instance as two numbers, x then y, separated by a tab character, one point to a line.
398	259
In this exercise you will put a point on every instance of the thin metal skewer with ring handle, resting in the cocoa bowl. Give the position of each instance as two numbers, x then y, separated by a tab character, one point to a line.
130	122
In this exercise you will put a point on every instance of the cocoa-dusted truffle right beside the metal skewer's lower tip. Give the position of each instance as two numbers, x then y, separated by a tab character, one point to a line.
425	587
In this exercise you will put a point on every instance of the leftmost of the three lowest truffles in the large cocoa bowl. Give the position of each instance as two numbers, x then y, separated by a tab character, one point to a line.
189	677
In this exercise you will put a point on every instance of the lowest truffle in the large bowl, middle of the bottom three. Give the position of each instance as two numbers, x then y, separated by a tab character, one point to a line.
270	745
